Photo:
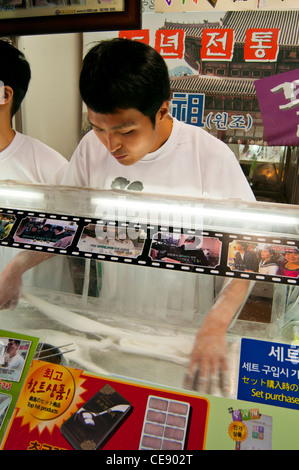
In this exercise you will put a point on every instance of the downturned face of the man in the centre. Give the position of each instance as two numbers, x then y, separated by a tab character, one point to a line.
128	134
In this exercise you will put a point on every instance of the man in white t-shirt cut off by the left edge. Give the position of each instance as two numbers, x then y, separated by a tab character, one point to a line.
24	159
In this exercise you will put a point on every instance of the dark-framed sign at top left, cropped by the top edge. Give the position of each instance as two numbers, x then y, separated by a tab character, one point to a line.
19	17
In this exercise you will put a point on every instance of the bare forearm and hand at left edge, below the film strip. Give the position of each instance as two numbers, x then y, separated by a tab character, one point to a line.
11	276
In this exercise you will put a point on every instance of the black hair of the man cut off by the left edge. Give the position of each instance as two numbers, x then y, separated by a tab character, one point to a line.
14	72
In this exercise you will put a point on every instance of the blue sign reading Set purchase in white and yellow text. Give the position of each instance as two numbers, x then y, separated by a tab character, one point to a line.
269	373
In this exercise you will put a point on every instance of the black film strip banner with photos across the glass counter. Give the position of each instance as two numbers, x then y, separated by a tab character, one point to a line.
223	254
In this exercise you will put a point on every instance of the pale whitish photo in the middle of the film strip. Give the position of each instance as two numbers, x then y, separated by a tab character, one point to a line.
109	239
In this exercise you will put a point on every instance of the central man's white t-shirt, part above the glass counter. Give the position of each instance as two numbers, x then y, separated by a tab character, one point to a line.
190	163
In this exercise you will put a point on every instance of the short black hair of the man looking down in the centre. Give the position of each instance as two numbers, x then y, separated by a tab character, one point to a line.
123	74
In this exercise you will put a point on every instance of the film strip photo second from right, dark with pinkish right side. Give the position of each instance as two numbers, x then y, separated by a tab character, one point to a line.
190	249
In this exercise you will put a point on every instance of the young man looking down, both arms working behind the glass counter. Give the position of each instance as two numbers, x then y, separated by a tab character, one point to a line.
125	86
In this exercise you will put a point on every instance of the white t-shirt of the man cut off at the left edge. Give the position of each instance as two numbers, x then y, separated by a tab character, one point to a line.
27	160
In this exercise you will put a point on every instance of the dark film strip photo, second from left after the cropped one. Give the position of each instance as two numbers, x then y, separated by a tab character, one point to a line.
43	231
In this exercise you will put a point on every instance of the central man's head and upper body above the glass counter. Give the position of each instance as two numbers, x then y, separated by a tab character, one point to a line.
125	86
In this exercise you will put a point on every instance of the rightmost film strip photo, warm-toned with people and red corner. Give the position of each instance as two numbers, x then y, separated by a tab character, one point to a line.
267	259
